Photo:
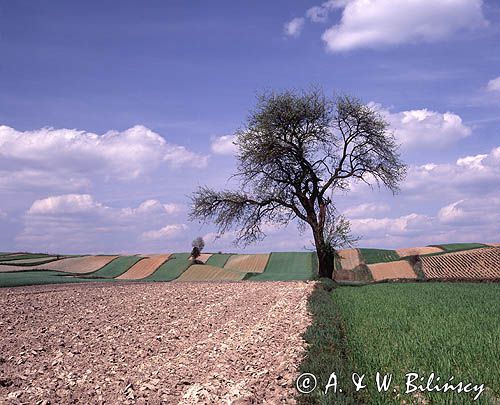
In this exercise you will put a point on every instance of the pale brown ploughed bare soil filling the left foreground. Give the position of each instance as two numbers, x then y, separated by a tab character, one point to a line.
153	343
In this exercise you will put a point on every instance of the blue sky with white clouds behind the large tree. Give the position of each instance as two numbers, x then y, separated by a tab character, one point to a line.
112	113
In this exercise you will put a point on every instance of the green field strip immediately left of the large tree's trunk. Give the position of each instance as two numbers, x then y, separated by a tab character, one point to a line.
284	266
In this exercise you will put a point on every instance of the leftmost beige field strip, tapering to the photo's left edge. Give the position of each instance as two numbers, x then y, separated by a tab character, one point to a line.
77	265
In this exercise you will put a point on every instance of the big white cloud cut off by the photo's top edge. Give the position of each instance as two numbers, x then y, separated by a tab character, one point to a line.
376	23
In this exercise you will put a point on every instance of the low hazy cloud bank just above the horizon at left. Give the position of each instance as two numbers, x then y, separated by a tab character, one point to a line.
80	224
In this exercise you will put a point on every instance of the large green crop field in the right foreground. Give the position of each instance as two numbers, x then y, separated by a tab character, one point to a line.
450	329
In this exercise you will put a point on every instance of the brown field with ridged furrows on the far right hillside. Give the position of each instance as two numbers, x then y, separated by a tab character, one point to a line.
476	264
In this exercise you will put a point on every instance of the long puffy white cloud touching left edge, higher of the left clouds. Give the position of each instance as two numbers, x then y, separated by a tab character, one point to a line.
71	158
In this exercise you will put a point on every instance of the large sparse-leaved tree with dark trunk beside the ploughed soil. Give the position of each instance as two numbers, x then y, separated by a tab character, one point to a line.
296	150
